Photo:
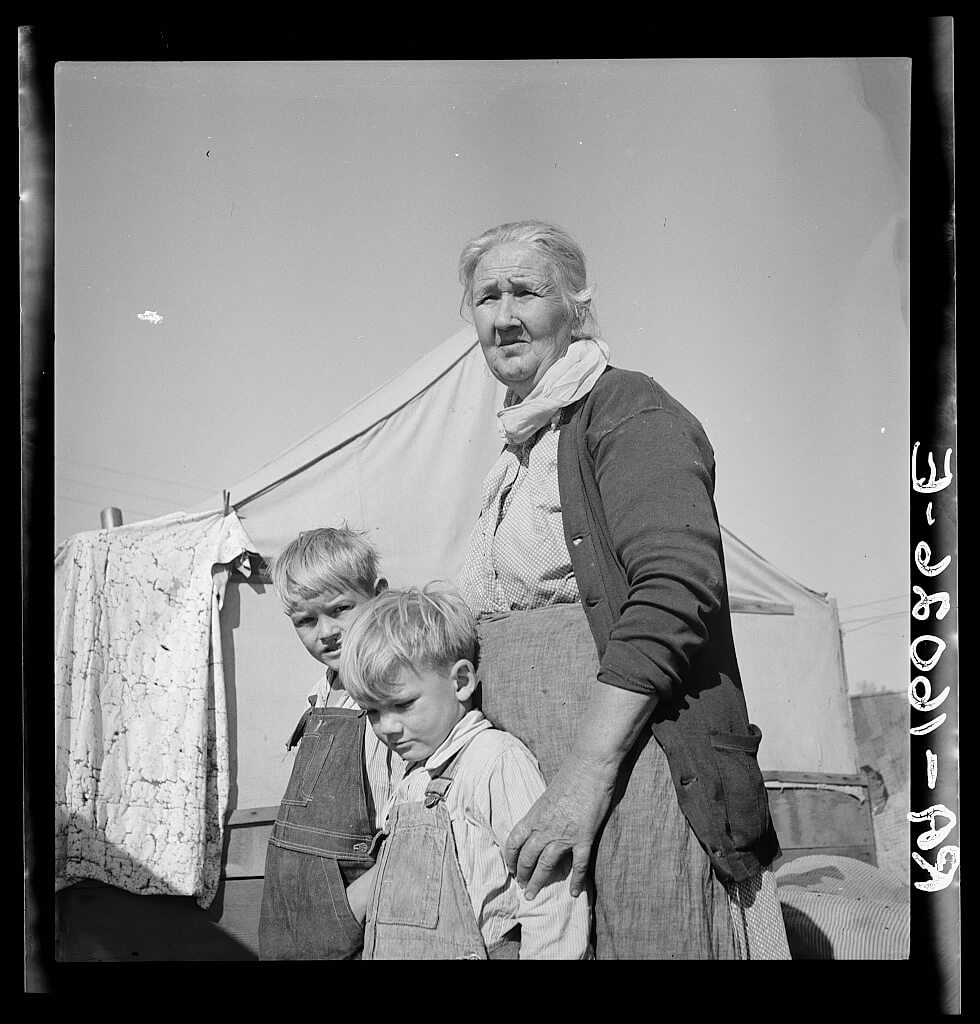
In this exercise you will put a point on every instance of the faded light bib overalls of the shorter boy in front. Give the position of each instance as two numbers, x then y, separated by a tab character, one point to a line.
419	908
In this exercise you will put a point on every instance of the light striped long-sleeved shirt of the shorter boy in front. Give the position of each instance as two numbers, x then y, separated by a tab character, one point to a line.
497	782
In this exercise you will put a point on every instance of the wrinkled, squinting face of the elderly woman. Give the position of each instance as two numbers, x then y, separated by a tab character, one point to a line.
523	323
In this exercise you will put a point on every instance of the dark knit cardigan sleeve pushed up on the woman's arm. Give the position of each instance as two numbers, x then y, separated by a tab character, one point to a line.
655	472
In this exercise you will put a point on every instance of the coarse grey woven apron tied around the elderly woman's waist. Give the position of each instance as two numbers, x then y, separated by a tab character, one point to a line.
656	894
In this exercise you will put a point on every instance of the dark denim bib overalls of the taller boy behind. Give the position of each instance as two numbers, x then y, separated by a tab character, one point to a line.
320	844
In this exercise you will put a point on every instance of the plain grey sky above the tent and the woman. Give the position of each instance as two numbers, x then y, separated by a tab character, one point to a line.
295	230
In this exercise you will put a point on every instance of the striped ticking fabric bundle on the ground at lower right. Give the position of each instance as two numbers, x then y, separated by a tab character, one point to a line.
842	909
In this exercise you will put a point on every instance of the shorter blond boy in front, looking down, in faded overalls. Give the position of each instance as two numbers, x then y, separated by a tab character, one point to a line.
441	889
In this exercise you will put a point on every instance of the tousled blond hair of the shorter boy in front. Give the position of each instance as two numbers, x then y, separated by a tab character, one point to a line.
416	629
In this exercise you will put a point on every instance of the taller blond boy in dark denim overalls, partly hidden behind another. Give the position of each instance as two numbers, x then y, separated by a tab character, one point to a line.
343	776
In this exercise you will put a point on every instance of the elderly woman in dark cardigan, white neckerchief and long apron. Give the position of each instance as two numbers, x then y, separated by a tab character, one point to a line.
598	574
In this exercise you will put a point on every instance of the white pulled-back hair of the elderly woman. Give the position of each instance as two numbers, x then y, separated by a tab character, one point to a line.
564	254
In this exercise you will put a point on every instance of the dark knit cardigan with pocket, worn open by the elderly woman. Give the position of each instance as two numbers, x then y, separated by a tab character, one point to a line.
636	477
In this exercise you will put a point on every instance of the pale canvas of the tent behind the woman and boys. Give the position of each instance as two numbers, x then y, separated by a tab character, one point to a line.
407	464
